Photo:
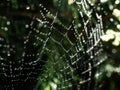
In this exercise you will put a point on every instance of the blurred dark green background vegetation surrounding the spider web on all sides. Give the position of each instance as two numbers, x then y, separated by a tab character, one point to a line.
16	16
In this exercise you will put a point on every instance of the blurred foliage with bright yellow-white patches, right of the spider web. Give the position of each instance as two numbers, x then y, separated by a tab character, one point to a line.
110	70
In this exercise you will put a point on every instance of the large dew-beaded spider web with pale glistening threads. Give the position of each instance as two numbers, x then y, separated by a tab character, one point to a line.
56	54
